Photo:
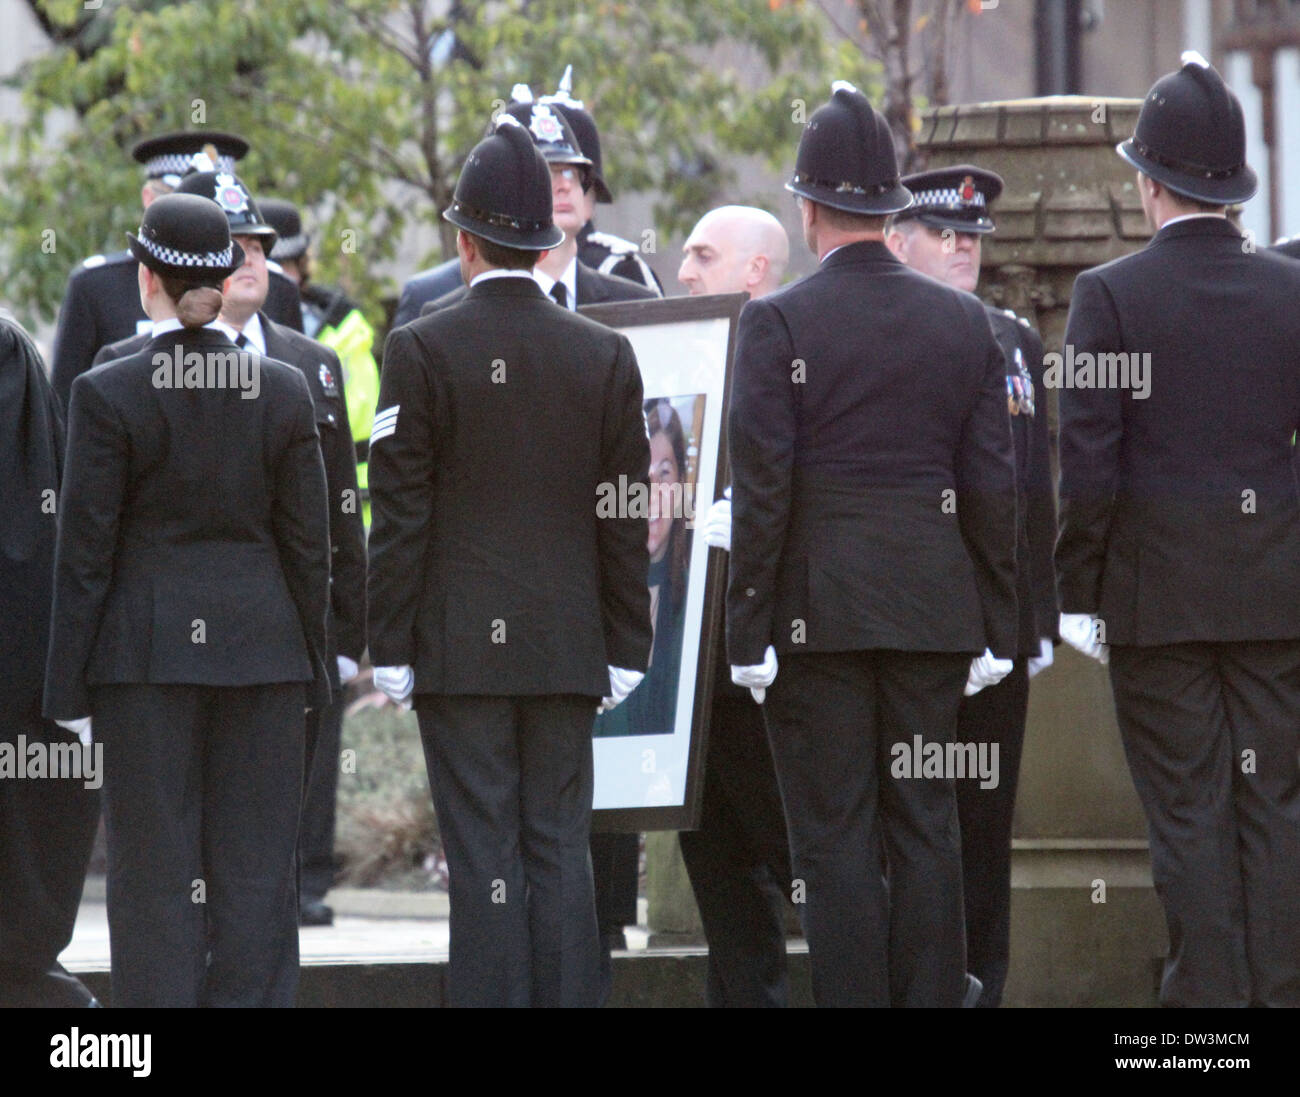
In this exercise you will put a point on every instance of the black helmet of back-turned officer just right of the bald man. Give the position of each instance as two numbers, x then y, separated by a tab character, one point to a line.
847	158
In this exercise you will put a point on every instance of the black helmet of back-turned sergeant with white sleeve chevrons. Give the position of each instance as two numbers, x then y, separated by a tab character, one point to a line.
505	192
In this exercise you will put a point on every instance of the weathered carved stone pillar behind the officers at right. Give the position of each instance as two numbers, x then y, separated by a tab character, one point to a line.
1086	926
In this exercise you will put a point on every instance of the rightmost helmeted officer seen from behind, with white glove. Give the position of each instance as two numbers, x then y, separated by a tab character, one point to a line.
1180	549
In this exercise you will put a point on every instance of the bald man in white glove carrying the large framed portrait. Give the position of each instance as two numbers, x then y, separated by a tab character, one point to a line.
739	861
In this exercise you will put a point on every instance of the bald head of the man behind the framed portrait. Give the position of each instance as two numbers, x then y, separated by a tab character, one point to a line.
735	249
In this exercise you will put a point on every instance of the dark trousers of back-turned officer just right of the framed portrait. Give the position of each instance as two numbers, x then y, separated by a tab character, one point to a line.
833	721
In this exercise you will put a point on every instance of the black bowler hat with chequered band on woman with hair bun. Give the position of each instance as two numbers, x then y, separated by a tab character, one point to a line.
187	236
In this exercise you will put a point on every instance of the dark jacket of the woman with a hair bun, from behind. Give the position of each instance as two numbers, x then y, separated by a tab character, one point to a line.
192	534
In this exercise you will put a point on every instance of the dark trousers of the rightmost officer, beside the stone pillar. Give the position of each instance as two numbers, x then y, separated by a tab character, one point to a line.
1212	734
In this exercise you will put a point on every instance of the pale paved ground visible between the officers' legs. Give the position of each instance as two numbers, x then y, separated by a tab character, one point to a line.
370	927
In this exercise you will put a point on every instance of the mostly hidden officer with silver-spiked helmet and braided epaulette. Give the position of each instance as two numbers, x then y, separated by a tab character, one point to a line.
603	253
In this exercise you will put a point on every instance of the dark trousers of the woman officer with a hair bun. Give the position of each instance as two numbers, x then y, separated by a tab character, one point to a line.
202	796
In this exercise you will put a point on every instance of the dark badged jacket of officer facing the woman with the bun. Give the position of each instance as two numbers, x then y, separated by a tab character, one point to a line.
320	366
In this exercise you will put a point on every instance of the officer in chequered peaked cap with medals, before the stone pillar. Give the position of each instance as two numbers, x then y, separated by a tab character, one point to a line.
939	235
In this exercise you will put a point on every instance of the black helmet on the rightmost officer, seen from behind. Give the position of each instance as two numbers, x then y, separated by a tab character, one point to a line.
1191	137
